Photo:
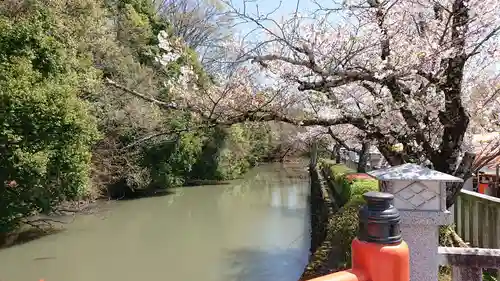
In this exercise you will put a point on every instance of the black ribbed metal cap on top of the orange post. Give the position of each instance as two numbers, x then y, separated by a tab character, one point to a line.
379	220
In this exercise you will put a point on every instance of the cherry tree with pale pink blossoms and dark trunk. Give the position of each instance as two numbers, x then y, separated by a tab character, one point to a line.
401	71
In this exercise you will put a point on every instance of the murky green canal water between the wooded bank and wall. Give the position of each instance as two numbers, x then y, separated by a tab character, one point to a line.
253	229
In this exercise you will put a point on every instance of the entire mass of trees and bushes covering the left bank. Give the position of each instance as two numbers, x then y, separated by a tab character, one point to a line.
56	106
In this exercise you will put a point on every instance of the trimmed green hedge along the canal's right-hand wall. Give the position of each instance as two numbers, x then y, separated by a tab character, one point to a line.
343	226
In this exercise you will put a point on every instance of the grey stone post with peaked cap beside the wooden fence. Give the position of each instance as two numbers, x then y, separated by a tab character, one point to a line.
420	197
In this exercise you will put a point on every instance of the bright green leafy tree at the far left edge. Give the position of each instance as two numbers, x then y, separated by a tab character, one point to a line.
46	133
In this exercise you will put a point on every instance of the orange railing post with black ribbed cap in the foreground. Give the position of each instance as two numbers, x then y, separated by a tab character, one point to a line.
379	253
